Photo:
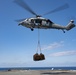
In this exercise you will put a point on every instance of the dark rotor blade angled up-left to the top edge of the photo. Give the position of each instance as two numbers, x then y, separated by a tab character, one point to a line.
25	6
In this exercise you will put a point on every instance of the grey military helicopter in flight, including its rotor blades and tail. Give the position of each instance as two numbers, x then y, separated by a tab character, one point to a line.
39	22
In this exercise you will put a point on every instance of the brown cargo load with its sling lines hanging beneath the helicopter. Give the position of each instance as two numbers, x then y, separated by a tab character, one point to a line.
38	56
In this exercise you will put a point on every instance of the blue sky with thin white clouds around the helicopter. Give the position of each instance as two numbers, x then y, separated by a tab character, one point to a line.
18	44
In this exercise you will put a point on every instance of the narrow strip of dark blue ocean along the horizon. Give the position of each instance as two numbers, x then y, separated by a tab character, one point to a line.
38	68
